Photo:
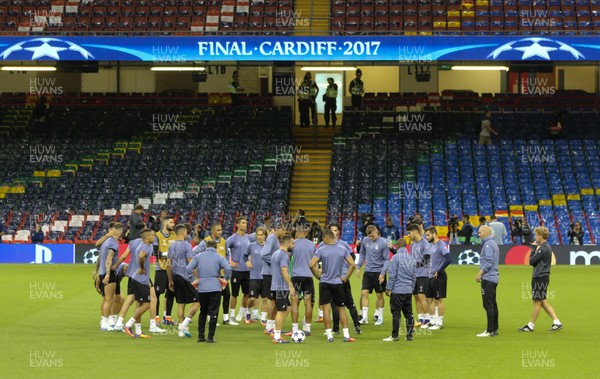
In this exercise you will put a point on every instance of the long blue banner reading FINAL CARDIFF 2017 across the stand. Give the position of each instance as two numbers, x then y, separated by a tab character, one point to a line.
401	49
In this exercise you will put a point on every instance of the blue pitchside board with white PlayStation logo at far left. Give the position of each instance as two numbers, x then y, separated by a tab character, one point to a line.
34	253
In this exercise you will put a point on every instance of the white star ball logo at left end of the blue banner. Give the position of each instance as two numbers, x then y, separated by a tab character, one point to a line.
45	48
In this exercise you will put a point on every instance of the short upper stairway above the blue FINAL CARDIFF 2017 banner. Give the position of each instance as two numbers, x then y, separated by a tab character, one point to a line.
317	13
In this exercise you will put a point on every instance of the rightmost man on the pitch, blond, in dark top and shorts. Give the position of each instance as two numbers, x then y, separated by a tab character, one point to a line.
541	260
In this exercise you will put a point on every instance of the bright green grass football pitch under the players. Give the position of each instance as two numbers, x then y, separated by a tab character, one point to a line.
50	329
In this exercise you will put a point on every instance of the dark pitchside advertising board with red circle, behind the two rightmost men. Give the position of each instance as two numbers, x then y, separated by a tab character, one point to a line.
519	255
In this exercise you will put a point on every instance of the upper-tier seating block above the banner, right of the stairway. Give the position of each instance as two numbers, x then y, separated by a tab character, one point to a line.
427	17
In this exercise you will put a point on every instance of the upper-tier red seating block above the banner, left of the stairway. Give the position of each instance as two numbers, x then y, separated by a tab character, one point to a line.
155	17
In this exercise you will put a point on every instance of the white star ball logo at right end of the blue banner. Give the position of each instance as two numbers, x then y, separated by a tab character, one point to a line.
535	47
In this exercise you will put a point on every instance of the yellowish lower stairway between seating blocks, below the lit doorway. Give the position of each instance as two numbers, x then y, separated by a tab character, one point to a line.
310	178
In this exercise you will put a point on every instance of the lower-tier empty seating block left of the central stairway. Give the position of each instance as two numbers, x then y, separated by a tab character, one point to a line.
220	164
